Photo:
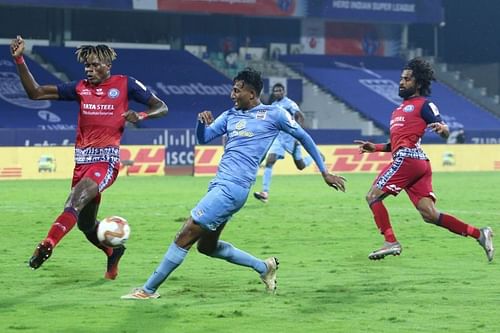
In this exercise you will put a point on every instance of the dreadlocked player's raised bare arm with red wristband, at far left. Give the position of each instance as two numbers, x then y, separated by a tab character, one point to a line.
32	88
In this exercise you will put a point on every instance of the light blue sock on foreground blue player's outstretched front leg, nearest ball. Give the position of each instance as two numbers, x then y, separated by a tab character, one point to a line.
173	258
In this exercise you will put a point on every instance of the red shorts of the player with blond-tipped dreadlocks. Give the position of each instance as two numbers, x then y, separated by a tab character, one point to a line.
102	173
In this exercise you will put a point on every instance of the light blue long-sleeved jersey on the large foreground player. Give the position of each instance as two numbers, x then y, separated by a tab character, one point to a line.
250	133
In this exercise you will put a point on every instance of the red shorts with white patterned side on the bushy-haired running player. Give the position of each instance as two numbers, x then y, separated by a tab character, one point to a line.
409	174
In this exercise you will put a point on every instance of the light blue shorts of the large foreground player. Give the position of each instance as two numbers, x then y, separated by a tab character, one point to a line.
222	200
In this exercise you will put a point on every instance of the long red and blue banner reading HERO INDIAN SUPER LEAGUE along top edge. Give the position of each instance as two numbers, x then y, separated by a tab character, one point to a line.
390	11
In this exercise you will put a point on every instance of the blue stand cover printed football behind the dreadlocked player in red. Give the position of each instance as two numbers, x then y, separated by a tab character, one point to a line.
183	81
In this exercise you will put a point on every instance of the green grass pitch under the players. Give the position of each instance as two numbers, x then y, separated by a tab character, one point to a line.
441	283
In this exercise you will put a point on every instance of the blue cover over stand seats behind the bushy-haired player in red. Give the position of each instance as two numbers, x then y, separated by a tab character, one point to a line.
370	85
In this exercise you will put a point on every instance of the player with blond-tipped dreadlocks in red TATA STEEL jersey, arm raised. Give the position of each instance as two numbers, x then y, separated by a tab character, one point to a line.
103	99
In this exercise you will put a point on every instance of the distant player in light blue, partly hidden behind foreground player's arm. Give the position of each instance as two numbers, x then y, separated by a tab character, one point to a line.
284	142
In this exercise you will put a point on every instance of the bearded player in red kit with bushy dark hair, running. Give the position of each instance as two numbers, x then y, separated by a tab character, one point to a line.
410	169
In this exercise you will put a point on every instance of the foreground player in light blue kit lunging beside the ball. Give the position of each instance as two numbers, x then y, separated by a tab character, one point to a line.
250	127
